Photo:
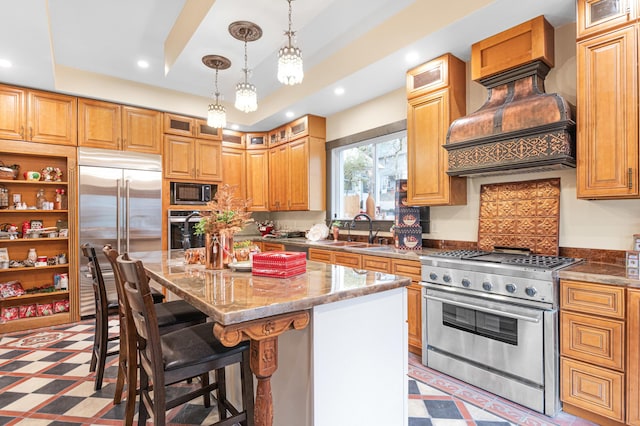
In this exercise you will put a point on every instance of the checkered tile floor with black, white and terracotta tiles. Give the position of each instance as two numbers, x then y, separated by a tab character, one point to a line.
45	380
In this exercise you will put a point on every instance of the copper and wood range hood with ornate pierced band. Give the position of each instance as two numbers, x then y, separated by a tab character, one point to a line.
520	127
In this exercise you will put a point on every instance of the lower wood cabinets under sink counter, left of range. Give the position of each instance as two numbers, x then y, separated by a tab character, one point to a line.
407	268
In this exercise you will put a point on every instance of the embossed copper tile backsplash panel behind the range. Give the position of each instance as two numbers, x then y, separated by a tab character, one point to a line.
520	214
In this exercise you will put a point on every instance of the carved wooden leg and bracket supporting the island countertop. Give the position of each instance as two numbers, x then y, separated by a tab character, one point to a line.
263	335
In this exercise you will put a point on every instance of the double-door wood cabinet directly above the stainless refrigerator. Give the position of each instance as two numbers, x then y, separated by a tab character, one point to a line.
112	126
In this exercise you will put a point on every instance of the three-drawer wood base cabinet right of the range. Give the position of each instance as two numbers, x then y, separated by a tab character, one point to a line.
598	380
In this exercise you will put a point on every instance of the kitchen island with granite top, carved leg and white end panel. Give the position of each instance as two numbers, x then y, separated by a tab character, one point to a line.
339	333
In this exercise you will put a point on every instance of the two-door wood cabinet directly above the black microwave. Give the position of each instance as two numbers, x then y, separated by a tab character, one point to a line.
192	159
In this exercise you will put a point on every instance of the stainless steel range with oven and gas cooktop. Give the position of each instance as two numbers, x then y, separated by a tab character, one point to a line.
491	320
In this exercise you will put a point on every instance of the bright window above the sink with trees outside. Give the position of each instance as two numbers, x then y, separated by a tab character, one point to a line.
368	168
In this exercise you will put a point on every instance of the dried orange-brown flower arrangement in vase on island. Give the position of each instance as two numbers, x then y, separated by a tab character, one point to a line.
225	214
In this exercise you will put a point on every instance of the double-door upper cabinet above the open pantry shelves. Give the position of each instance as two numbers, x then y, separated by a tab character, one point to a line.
37	116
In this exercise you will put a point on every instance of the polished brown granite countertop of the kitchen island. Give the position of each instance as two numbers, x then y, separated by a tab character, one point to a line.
230	297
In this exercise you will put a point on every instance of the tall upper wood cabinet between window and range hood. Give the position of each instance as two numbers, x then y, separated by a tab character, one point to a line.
436	96
